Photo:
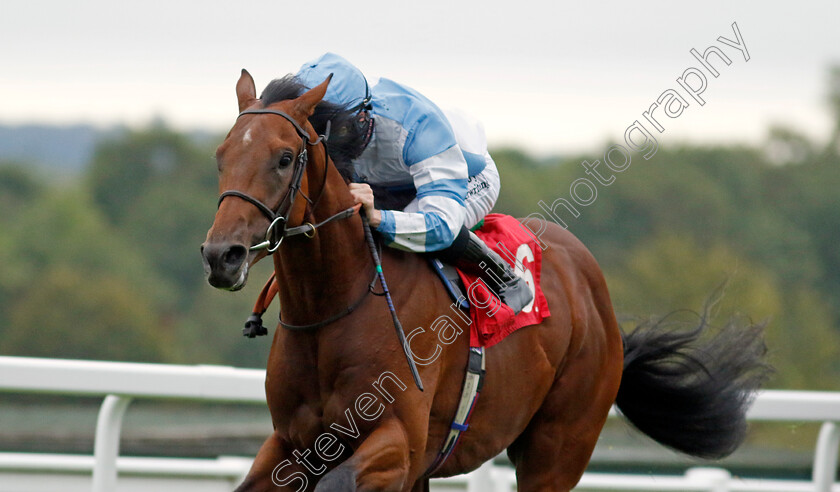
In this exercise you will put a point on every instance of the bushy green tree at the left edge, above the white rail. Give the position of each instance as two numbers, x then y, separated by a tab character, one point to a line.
67	273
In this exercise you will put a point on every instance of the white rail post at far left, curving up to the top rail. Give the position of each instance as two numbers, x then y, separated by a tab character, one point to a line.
106	446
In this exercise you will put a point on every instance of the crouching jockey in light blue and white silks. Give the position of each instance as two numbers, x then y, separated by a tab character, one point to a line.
440	160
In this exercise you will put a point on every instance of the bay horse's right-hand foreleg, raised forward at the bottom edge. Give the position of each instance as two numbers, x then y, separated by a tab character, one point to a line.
380	463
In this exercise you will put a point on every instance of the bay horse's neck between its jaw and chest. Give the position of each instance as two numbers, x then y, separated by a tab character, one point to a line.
321	275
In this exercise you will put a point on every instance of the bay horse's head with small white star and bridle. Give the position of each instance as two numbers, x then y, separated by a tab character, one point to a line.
262	182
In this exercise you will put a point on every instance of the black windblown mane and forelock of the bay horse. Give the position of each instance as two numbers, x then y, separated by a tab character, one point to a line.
347	138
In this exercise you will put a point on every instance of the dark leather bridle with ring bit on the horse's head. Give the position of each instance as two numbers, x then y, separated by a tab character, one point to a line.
279	216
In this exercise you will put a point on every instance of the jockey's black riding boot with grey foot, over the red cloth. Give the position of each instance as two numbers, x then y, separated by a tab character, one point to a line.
469	254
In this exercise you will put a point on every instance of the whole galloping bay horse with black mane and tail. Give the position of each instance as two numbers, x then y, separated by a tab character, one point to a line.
346	416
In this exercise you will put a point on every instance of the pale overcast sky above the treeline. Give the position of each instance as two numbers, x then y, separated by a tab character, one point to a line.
551	75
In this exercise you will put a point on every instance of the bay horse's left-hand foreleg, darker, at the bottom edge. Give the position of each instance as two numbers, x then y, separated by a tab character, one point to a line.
272	470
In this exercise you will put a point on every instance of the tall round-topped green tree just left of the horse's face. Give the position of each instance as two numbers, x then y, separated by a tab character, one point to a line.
158	189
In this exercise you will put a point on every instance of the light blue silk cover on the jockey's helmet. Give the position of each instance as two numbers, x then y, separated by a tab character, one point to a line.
348	86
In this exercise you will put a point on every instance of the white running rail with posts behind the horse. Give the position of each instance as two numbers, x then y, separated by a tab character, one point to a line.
119	382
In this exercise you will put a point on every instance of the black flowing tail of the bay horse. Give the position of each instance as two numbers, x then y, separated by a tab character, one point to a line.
690	389
